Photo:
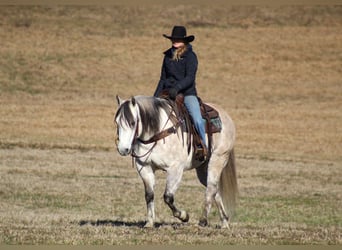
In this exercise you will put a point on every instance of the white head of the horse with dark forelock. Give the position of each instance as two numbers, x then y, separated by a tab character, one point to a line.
127	121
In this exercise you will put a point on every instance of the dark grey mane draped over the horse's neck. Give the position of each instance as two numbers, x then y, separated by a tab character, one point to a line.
150	112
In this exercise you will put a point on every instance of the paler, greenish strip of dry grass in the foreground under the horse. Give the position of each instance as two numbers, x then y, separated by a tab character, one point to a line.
72	197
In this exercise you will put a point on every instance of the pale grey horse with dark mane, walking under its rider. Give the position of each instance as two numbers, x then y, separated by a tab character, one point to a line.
147	132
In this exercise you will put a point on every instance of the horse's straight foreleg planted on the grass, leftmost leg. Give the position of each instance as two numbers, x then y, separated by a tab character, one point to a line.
147	175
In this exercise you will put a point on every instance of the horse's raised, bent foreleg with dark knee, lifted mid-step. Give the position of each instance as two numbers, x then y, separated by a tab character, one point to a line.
172	184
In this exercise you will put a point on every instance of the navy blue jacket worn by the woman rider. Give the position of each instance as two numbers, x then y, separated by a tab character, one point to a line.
179	74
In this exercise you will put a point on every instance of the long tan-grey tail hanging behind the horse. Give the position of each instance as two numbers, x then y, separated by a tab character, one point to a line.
228	186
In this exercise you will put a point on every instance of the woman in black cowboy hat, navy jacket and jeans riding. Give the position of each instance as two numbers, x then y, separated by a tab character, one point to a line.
178	75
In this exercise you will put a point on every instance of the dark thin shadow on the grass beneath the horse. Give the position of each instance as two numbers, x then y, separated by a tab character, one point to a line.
120	223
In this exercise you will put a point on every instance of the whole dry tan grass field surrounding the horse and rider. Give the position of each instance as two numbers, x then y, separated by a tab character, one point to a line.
276	70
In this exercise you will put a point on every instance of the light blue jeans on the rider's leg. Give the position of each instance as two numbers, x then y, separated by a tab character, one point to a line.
192	105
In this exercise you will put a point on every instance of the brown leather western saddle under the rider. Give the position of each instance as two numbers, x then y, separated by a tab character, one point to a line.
209	114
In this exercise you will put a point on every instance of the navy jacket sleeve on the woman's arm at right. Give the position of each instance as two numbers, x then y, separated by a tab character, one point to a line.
190	73
